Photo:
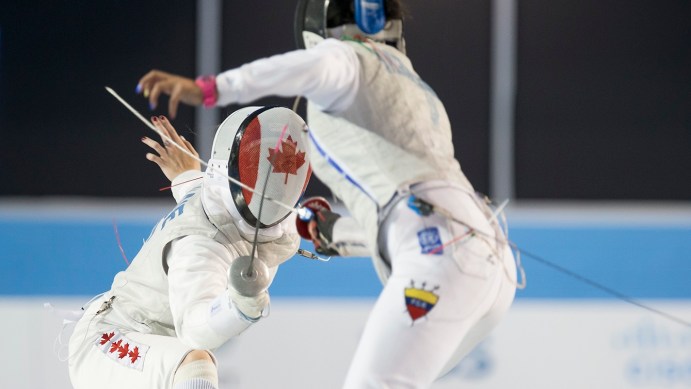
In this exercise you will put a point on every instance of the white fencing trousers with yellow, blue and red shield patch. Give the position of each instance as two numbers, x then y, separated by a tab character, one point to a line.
439	302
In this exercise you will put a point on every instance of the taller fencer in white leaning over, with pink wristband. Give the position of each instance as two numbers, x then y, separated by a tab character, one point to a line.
380	139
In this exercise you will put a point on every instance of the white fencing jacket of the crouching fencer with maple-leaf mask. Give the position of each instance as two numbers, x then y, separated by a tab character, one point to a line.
177	283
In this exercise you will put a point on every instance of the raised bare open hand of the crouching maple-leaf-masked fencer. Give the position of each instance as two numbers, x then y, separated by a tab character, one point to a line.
171	159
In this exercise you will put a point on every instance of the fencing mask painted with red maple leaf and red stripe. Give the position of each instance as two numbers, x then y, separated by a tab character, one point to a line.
263	148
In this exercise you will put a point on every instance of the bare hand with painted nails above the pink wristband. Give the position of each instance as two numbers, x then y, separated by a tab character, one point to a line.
180	89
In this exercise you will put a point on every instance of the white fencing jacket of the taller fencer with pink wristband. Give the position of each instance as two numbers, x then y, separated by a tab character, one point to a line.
375	126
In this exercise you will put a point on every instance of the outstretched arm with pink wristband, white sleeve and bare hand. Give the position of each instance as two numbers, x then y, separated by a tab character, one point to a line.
327	74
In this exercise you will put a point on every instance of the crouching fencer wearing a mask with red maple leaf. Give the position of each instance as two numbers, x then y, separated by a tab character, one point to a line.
164	315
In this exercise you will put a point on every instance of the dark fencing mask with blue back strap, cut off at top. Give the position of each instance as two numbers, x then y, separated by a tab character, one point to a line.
316	20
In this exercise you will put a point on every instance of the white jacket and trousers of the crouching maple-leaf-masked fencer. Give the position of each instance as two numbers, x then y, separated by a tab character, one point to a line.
173	298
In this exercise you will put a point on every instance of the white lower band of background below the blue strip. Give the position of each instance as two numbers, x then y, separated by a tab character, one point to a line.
307	344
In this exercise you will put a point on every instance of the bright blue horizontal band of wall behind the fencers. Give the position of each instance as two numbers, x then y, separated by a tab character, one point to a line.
80	257
